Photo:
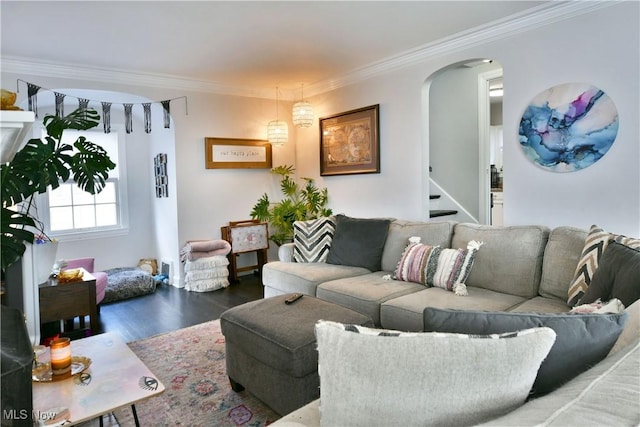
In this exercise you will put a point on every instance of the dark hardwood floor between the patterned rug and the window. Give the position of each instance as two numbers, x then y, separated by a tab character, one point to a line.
170	308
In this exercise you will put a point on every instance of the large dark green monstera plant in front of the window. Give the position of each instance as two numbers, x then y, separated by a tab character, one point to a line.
42	163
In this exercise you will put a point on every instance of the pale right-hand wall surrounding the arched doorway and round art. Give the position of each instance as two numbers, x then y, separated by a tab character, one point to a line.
600	48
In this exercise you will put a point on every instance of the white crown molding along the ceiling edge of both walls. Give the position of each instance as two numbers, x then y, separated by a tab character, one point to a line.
543	15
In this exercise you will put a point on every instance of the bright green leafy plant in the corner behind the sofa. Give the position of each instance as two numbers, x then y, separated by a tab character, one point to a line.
300	203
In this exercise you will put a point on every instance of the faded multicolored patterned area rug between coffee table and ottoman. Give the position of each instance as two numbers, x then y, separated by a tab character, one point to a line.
190	363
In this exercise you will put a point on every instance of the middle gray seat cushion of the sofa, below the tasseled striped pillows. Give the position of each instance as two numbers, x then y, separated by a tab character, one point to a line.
365	293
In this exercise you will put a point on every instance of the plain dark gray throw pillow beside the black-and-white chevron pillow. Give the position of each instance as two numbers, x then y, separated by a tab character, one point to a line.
358	242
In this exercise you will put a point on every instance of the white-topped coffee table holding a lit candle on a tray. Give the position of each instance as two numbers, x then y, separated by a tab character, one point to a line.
116	378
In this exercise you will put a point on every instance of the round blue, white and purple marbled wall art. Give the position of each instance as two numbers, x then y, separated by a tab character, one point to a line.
568	127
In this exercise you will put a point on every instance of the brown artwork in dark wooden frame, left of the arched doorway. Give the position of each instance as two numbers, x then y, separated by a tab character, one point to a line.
350	142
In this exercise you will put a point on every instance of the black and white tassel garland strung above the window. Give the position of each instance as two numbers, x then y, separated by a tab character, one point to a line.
32	94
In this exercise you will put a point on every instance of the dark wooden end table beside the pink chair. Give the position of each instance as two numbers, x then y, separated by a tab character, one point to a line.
62	301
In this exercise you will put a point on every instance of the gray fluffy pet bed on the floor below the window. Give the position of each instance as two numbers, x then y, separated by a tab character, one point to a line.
127	282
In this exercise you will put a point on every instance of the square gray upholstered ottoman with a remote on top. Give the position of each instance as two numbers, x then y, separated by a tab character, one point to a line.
271	348
